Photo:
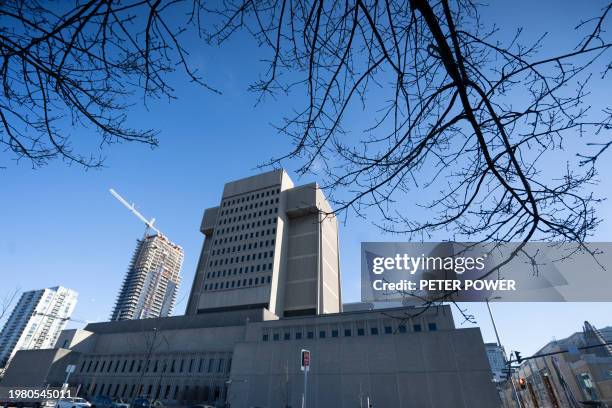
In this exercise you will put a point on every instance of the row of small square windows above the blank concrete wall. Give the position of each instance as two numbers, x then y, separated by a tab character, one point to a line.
346	332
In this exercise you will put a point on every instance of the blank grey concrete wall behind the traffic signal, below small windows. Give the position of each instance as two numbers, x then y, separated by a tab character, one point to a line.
439	369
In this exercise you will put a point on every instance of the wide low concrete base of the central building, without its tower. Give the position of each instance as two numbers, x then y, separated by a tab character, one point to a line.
400	357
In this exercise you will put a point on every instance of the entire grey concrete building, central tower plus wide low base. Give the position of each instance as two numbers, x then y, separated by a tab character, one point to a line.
268	285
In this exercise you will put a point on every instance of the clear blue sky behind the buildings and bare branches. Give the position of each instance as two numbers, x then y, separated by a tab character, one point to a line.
60	225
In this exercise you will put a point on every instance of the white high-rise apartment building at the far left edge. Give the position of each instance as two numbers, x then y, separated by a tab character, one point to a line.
36	321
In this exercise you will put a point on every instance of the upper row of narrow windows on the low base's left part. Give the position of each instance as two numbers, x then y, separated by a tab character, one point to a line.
167	365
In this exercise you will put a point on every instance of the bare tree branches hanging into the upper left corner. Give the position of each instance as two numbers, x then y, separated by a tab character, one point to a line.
69	68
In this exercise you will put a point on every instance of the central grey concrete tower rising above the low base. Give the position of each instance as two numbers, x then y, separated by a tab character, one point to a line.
268	245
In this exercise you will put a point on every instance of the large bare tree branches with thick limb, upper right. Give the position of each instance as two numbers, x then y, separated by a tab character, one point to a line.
453	107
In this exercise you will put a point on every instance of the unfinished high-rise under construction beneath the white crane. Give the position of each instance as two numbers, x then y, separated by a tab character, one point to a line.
151	283
